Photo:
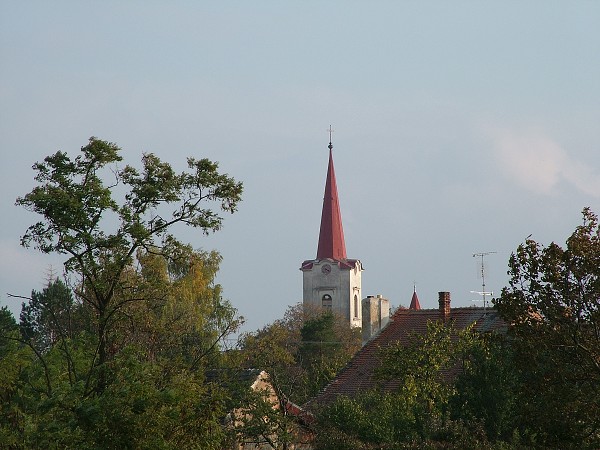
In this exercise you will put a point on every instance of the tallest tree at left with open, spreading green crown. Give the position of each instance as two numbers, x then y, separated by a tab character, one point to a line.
82	219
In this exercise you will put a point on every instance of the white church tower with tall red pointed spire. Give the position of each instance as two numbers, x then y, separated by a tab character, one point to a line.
332	280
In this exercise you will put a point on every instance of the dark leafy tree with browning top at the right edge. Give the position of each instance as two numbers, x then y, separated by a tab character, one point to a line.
553	305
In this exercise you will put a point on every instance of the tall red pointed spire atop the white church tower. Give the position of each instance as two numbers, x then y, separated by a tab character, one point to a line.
331	236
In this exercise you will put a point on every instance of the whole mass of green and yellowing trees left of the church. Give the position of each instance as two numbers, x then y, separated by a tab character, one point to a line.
120	362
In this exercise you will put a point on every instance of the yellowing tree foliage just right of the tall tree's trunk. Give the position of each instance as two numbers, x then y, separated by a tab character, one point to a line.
183	318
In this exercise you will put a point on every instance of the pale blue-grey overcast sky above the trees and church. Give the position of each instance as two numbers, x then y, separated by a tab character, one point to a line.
460	127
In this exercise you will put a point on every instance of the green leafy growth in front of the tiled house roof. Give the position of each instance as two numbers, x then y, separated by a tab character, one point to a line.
430	408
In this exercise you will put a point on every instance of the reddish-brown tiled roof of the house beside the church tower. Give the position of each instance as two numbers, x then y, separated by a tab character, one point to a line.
358	375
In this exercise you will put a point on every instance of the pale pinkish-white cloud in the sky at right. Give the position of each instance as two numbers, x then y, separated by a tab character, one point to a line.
540	164
